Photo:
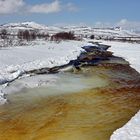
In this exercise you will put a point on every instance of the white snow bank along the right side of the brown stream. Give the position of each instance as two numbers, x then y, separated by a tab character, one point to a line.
131	52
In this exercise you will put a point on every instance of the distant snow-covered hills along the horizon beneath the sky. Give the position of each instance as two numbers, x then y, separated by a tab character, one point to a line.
78	30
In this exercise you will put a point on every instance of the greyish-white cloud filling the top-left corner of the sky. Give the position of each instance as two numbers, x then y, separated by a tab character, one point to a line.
10	6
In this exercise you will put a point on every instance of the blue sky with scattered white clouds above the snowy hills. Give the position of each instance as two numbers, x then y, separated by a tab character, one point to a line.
90	12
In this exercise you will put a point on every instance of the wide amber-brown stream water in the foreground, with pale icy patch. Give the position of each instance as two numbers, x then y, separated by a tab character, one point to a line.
98	101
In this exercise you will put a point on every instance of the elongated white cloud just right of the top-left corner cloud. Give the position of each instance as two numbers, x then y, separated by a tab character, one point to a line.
46	8
